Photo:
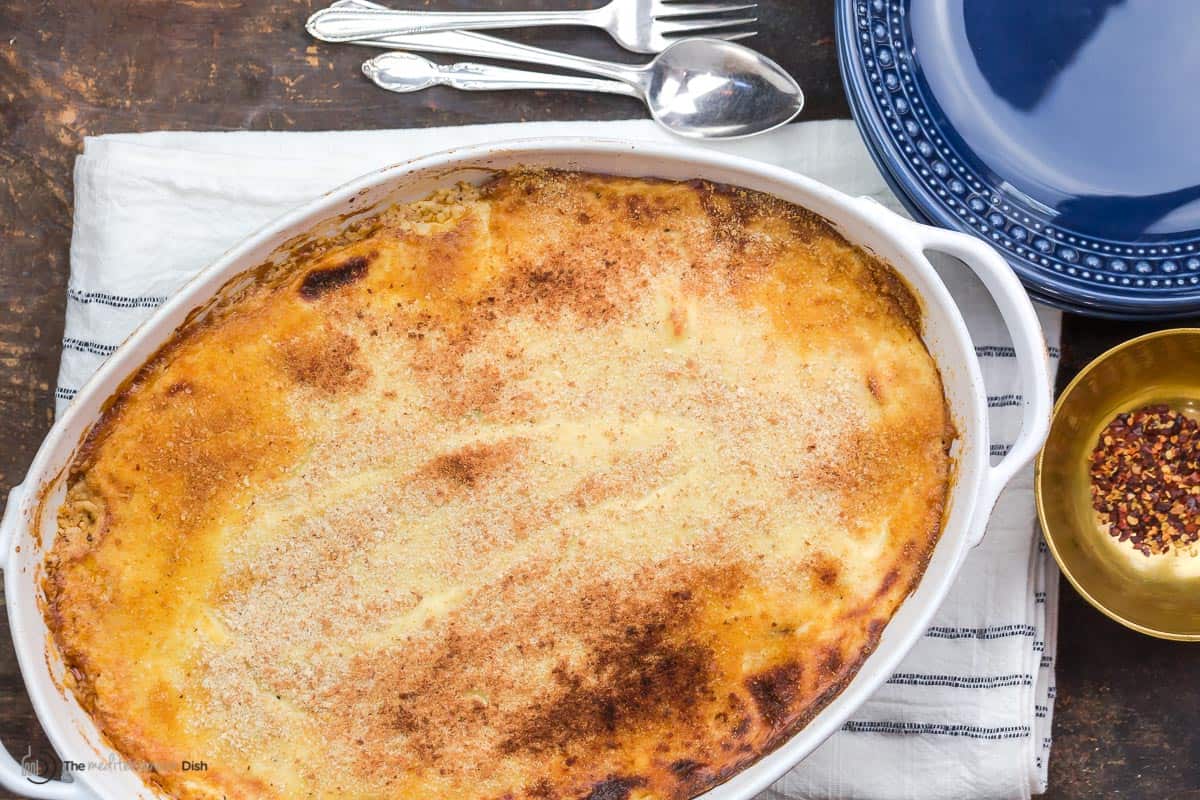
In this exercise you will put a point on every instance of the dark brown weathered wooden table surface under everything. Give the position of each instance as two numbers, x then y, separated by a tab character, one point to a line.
1127	721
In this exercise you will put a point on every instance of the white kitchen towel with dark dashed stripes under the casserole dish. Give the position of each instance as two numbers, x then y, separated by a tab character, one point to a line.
968	714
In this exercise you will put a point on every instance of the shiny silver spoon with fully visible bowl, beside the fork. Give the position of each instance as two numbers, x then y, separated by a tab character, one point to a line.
698	88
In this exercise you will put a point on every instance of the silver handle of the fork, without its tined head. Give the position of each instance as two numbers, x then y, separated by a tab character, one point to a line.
349	23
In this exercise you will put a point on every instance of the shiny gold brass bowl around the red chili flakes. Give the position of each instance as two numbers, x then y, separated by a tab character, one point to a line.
1159	596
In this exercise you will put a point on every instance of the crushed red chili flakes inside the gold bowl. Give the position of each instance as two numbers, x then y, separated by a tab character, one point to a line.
1145	476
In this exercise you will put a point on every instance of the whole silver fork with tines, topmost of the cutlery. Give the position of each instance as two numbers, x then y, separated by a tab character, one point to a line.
638	26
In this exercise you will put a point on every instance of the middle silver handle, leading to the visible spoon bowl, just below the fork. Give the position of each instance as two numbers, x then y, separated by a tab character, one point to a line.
483	46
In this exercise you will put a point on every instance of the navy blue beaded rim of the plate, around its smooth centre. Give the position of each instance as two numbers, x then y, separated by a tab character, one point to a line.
1060	267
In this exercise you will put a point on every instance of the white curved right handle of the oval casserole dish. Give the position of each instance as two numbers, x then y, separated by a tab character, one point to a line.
1021	320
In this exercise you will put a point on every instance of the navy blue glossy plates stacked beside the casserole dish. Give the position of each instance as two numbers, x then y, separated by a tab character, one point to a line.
1065	133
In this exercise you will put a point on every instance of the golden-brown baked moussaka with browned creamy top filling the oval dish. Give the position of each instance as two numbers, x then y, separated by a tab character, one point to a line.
566	486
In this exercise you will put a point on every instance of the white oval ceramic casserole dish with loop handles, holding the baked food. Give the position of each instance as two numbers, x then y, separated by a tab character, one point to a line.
31	519
